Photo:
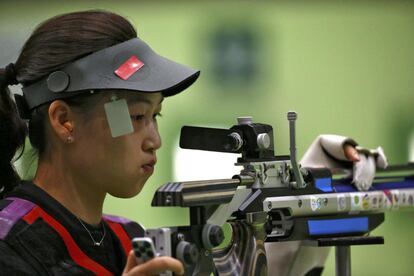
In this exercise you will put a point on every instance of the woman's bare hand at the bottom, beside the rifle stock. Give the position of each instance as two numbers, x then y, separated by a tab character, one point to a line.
153	267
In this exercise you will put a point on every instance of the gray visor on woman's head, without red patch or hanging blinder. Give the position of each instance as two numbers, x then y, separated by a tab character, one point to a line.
97	72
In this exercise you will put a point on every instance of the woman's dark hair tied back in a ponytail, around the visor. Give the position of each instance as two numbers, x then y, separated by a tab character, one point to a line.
52	45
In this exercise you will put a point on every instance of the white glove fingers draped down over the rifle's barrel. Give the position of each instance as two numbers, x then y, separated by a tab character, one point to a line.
364	169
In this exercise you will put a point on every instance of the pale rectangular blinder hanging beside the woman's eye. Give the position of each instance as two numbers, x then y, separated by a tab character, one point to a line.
118	117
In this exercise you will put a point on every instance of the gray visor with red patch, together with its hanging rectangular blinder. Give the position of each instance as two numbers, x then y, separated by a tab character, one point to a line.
130	66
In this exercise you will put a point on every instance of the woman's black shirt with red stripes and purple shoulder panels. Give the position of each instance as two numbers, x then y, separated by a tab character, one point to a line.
39	236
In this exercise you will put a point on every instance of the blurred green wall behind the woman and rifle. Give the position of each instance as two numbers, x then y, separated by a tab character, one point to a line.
346	67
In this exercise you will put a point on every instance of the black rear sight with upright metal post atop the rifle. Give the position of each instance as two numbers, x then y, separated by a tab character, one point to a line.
255	143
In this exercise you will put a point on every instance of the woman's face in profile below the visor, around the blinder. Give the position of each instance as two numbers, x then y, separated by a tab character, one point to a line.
119	166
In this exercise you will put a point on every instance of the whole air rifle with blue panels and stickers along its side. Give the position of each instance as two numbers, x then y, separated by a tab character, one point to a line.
273	199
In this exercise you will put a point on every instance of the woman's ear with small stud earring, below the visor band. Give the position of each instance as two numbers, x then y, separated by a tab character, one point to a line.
61	119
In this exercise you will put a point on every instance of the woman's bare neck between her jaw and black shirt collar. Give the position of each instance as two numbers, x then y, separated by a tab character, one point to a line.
60	182
